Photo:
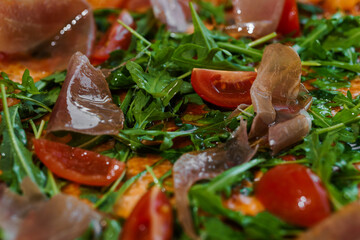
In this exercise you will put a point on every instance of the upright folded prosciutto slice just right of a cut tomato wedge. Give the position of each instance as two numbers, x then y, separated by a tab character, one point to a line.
279	99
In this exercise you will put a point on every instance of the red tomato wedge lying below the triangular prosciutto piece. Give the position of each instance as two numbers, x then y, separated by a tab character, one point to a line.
78	165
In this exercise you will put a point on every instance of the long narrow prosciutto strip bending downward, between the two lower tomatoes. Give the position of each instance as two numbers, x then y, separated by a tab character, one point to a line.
195	166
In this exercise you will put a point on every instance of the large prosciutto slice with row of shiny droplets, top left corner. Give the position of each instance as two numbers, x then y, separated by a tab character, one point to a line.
46	29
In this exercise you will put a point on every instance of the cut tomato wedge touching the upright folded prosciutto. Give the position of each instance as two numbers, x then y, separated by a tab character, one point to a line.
223	88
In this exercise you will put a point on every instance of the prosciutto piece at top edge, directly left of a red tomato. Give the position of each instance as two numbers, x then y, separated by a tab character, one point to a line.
256	18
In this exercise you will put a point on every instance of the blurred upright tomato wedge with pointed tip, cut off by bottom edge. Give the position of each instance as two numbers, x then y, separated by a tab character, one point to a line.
151	218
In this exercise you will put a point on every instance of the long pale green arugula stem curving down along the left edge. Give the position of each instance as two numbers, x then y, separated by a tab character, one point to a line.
13	139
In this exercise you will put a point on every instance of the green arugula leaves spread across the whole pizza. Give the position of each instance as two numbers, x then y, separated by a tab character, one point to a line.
153	78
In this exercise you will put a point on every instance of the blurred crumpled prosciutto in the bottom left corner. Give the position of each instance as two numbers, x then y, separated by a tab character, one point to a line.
33	215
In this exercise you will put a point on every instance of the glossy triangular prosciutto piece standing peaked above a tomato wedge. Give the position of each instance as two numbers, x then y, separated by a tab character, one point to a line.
85	104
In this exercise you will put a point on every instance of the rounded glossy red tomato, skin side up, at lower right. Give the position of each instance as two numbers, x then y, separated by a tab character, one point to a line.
295	194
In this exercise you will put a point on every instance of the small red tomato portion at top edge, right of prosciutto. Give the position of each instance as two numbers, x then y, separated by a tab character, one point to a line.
289	21
